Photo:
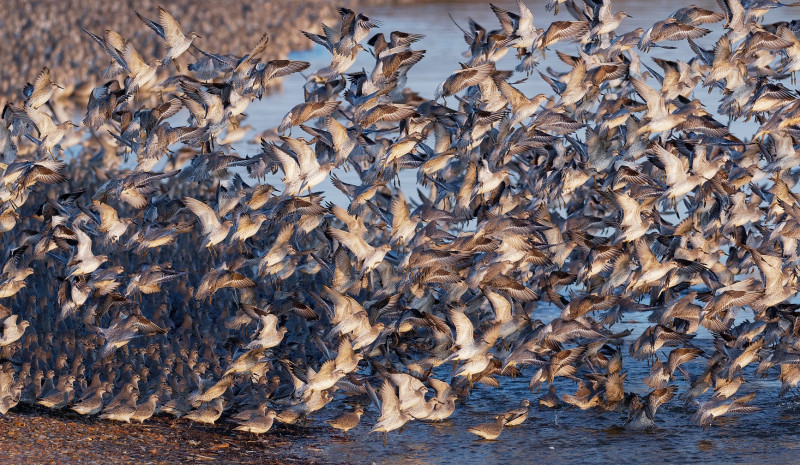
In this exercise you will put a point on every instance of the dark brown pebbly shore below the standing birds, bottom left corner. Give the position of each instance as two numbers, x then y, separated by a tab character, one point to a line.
35	435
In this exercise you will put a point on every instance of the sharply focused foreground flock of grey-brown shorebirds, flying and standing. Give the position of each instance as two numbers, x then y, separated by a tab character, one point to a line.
149	267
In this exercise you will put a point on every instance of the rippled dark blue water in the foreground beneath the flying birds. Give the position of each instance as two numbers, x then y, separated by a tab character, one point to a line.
569	435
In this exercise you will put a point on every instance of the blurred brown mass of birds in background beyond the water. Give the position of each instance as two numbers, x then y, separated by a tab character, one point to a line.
39	33
